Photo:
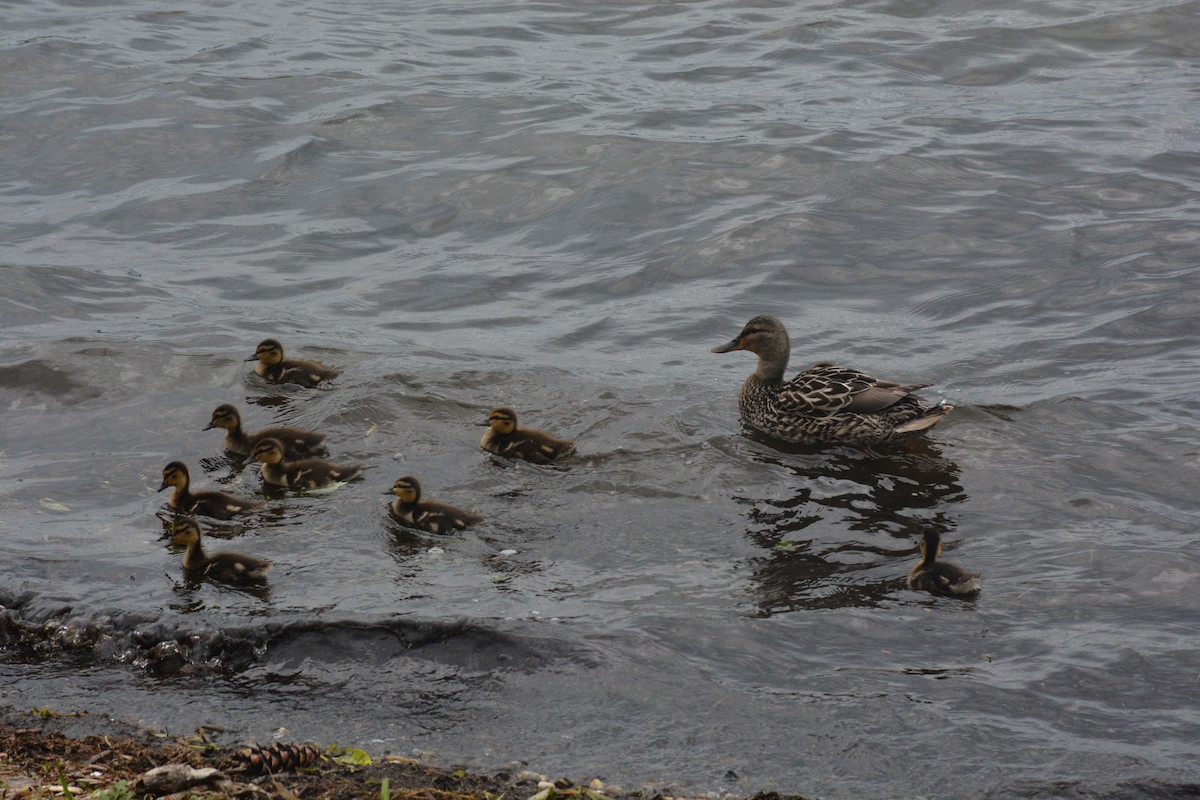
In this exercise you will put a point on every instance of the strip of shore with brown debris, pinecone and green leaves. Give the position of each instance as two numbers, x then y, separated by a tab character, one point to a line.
47	754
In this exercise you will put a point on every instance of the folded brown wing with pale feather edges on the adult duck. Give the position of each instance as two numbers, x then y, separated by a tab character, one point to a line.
826	388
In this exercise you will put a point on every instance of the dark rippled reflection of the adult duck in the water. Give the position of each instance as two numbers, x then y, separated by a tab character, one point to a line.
842	534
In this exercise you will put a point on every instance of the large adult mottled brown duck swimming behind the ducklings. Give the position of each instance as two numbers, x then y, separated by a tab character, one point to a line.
826	404
